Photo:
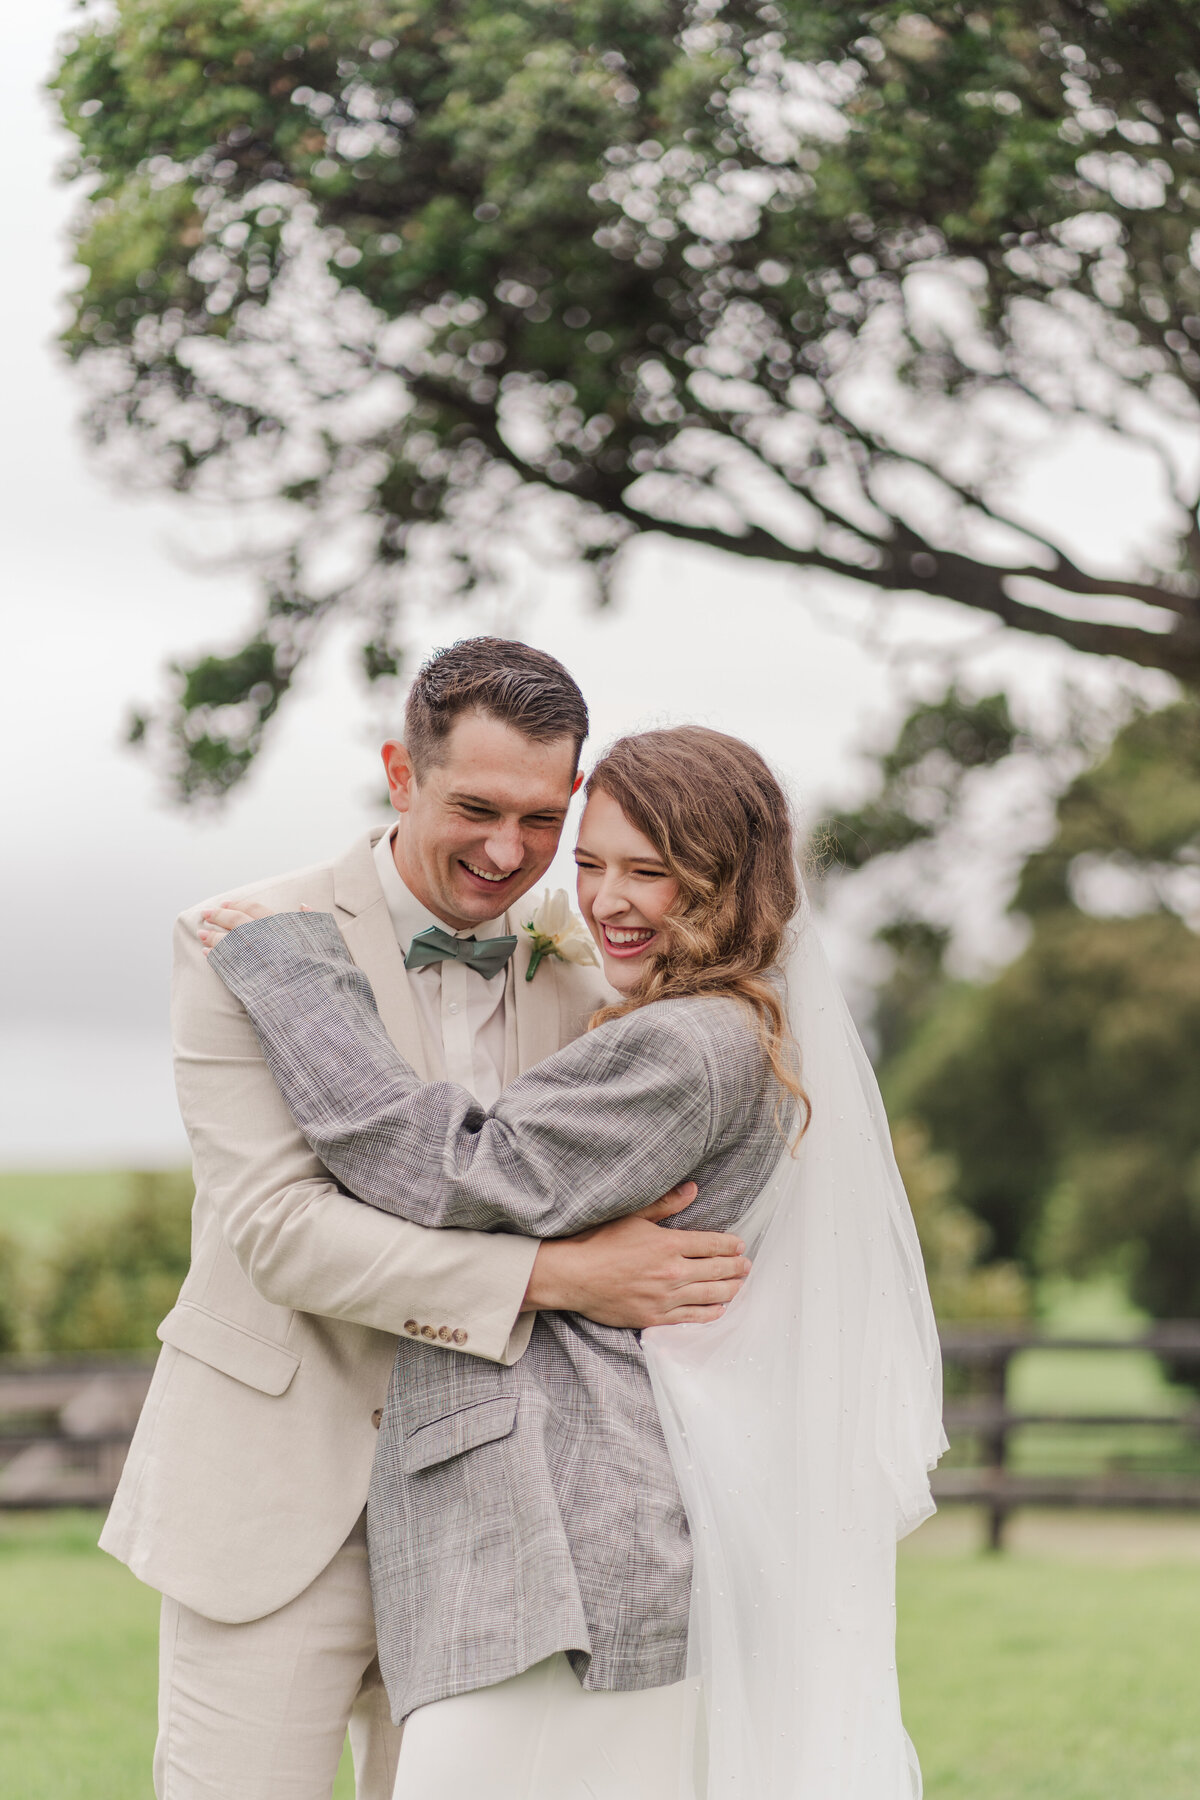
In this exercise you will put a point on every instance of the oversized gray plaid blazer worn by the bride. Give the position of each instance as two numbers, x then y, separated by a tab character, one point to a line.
532	1509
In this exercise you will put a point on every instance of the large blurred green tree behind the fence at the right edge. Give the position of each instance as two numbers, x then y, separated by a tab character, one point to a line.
1066	1088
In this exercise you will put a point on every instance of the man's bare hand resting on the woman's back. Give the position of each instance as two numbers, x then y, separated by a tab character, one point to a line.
634	1273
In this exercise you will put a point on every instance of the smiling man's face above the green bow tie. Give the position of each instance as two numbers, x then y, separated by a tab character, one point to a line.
483	825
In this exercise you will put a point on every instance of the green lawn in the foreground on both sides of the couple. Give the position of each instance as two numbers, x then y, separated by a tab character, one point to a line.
1025	1677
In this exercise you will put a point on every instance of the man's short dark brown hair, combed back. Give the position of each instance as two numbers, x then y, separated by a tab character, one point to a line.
521	687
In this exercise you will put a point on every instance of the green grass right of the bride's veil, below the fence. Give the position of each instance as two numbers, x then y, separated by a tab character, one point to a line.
1035	1680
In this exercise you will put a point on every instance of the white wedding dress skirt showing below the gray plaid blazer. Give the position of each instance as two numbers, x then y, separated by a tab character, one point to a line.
544	1738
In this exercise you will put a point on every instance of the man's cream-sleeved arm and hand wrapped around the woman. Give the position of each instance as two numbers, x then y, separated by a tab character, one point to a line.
307	1245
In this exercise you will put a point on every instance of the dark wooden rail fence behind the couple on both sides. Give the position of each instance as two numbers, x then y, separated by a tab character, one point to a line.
66	1428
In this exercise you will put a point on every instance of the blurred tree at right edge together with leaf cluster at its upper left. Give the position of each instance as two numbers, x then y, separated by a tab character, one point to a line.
1062	1090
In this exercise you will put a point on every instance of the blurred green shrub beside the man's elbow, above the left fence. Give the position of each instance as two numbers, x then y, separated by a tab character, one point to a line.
111	1282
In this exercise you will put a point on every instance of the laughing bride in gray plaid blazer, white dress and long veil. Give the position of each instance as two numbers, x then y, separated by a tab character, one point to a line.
641	1570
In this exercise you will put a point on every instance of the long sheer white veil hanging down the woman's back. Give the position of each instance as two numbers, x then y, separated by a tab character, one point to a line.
803	1428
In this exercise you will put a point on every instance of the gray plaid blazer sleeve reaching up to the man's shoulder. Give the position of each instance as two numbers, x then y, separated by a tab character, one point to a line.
593	1133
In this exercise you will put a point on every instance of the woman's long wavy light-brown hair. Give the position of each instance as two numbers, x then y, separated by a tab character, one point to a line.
722	827
